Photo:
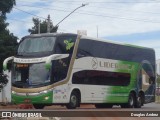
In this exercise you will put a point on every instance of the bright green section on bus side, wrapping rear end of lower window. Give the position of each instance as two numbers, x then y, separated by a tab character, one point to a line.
119	94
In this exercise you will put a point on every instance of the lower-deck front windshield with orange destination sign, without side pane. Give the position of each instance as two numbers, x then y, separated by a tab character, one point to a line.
30	75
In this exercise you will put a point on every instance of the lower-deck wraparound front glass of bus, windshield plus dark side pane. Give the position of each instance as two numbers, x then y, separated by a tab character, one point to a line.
26	75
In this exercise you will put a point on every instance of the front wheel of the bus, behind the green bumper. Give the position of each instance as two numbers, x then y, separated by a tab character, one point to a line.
74	101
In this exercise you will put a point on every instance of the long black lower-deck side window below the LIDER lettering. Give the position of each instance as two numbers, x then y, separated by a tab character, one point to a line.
101	78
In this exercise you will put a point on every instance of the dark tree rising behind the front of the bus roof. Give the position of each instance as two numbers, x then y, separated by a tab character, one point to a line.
43	27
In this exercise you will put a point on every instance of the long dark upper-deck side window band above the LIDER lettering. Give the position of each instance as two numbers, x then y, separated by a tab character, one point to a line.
100	49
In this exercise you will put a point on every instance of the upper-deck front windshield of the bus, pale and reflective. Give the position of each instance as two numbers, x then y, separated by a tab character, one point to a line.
36	45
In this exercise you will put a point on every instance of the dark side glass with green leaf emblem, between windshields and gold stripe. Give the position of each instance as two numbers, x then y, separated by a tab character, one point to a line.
64	45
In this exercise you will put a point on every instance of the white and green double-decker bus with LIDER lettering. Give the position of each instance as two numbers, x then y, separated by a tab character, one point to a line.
70	69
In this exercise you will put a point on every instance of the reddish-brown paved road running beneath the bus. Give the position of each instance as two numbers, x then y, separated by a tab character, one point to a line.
115	111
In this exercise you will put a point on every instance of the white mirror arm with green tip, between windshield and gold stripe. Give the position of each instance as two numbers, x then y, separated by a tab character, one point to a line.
54	57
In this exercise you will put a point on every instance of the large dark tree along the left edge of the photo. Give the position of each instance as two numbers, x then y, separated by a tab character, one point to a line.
8	41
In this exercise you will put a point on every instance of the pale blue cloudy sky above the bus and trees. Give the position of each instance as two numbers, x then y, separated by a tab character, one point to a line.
127	21
